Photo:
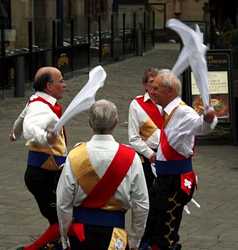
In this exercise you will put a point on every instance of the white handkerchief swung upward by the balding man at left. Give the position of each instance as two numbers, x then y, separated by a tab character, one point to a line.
85	98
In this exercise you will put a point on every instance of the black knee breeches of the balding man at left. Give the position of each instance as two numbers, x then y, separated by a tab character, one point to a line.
42	184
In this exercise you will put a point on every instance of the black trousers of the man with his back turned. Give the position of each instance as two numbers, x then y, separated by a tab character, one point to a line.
96	238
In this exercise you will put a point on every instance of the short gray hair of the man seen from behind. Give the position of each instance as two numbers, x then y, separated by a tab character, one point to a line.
103	117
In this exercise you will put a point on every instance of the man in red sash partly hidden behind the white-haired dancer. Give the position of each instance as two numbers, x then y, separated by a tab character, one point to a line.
144	124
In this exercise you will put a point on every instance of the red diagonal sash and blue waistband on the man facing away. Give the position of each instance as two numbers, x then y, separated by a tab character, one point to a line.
89	211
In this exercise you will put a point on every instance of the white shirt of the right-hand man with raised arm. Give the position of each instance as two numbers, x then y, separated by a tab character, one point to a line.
182	128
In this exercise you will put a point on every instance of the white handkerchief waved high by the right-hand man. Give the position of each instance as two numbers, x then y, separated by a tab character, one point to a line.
193	54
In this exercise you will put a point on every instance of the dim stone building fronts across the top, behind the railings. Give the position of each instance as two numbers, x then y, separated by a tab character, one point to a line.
15	14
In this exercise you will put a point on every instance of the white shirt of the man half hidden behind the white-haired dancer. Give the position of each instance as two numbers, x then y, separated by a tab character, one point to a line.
137	117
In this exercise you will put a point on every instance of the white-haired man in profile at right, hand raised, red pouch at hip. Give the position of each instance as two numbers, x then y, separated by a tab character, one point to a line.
175	182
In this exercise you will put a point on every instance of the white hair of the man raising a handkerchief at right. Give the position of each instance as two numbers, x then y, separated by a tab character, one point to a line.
169	79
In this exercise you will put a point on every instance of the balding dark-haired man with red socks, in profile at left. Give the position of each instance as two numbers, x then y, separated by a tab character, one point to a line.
47	152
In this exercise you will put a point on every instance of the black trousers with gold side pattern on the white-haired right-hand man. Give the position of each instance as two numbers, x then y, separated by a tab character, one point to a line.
165	214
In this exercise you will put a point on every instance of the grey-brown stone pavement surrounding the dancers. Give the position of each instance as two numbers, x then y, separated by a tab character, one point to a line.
212	227
